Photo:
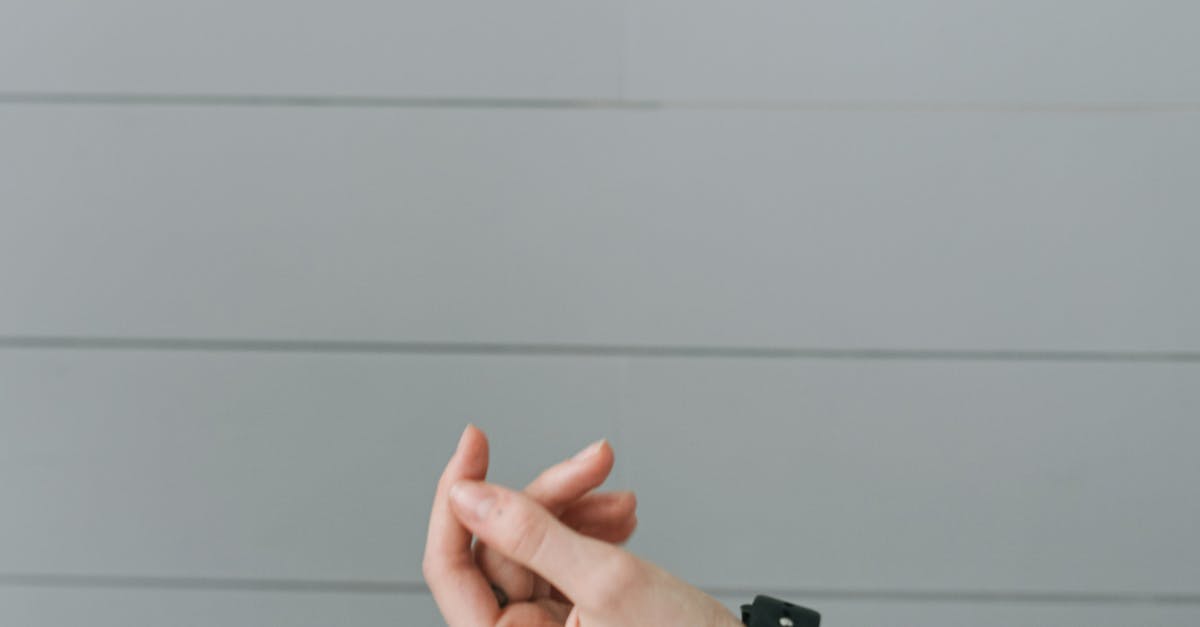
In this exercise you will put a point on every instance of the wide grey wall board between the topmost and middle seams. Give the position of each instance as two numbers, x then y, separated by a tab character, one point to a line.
907	231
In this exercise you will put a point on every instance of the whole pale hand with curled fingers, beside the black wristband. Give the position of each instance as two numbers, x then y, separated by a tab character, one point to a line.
554	548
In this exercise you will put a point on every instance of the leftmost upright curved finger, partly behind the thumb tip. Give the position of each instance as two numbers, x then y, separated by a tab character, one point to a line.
463	594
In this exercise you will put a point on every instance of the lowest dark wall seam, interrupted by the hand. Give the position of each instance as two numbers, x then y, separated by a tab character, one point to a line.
361	587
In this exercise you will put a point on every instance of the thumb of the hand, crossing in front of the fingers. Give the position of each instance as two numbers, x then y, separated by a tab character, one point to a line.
590	572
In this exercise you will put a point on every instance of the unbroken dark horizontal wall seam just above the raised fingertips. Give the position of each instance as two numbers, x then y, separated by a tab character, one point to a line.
578	350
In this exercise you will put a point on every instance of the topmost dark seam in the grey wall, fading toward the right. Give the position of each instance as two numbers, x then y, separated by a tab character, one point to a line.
471	103
